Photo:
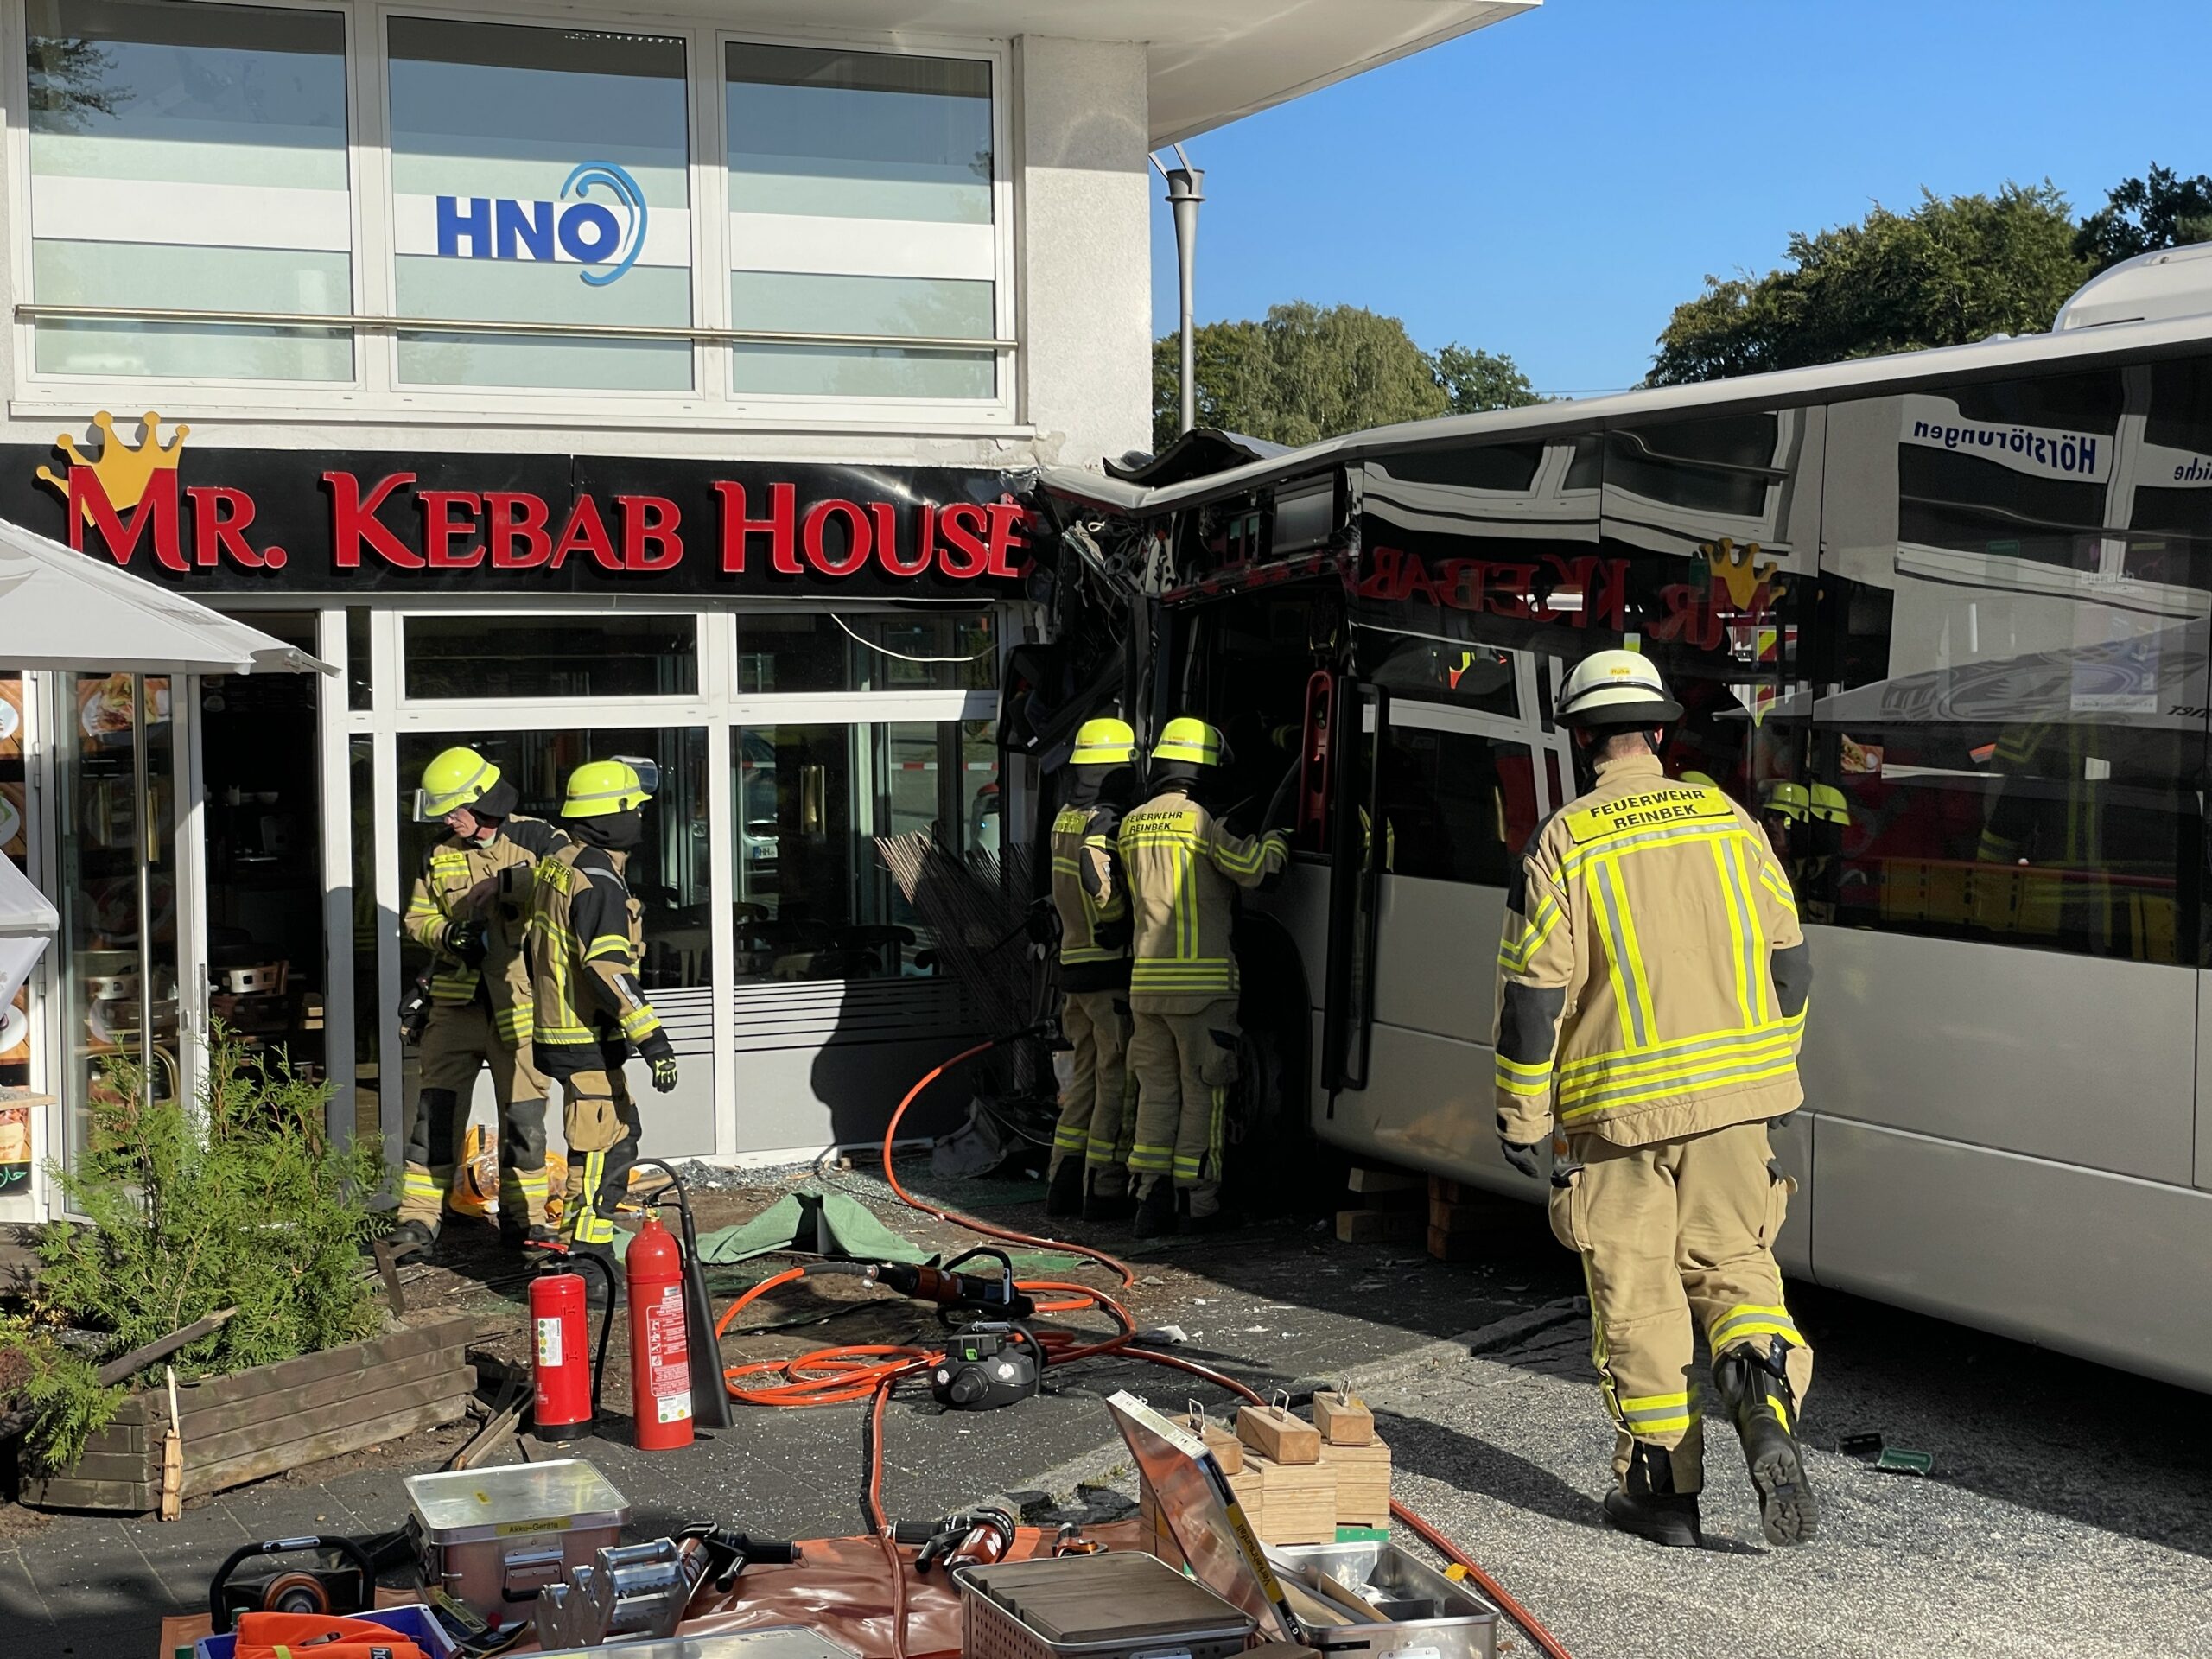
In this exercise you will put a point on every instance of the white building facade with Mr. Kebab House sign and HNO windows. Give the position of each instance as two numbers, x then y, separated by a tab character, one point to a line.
574	382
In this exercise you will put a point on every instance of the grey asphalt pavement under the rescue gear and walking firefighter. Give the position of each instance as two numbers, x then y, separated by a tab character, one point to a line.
2065	1512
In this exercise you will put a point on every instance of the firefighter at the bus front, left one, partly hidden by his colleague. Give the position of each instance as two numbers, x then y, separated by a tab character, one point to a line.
1092	1145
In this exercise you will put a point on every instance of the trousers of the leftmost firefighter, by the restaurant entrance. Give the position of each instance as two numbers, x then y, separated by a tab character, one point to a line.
457	1045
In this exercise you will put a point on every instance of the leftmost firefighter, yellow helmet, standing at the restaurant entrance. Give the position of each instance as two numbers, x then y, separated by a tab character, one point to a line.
470	908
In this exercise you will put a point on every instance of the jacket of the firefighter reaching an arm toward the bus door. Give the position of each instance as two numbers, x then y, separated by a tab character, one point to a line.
1182	873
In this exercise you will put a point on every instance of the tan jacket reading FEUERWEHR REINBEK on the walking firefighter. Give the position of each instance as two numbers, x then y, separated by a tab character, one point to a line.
1653	977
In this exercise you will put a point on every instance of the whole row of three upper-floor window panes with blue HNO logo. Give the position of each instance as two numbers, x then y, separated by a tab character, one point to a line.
532	213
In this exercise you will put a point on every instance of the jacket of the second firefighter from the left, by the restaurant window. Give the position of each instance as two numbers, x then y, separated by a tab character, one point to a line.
587	939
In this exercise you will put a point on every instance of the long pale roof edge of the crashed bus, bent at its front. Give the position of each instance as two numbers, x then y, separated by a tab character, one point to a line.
1855	379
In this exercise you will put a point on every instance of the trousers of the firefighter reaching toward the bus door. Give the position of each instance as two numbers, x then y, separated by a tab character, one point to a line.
1185	1070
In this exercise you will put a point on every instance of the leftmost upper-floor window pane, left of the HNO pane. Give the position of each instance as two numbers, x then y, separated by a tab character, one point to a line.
189	158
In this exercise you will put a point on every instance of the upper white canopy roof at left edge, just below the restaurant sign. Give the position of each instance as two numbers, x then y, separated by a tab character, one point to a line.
70	612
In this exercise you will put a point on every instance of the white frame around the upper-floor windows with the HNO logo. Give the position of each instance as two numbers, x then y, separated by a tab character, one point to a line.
375	393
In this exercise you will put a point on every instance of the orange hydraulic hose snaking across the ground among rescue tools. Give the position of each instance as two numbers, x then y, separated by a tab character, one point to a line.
870	1373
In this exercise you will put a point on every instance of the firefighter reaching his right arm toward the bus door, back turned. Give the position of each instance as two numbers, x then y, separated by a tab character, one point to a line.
1185	873
